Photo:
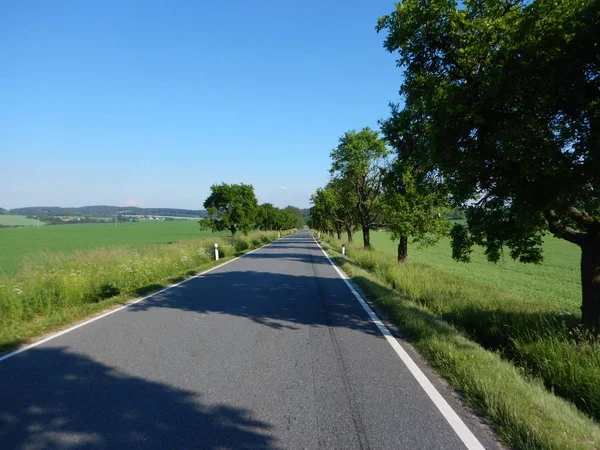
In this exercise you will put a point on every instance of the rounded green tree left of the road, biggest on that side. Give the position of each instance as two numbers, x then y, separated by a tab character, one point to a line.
230	207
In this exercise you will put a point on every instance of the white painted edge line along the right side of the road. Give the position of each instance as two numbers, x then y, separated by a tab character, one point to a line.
459	427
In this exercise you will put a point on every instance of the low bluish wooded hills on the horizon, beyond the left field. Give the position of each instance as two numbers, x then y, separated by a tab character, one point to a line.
104	210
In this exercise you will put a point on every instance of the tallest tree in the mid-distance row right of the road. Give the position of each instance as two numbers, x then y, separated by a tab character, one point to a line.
357	161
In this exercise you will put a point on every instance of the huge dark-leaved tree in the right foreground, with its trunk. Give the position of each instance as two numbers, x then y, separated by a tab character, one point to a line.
509	93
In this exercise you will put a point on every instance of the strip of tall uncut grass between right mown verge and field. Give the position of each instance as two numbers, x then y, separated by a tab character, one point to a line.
545	342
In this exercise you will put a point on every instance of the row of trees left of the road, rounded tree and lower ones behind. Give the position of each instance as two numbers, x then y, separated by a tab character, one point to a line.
233	208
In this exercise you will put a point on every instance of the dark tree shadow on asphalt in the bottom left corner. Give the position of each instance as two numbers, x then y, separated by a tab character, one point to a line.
99	407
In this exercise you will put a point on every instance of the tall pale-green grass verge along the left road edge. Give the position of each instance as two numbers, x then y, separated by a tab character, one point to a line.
54	290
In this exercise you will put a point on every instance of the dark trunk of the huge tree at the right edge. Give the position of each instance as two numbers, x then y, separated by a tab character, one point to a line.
590	284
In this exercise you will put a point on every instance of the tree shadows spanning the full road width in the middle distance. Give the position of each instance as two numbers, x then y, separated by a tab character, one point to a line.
276	300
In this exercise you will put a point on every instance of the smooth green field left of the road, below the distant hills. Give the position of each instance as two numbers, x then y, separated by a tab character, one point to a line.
18	245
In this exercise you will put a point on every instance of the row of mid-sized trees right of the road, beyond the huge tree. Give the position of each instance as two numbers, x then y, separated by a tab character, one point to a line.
373	187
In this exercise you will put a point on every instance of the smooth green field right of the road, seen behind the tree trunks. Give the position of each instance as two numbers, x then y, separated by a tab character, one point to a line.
556	281
